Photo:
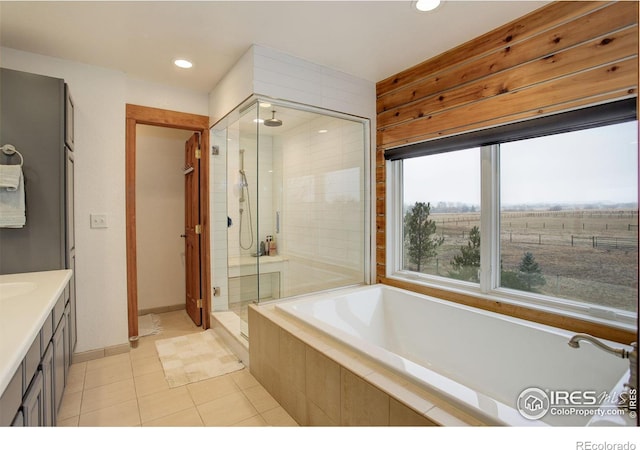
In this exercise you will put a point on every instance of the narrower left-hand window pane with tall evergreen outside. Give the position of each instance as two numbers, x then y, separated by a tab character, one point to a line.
441	215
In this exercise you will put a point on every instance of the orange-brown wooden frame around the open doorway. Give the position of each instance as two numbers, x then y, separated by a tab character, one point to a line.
144	115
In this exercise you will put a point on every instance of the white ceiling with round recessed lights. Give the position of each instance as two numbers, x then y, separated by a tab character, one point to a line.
368	39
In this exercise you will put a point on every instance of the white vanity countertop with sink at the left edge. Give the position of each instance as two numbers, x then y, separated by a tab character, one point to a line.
26	299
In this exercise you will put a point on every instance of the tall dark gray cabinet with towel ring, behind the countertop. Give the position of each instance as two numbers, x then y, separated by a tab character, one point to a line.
37	117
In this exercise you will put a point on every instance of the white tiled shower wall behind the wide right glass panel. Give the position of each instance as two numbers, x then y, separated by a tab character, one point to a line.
323	204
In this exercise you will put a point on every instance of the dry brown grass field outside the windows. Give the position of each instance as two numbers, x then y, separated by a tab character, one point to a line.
586	255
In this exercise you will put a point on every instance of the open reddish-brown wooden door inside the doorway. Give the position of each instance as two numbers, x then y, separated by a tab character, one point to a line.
192	228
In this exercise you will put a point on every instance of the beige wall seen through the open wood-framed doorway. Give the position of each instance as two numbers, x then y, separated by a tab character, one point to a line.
160	216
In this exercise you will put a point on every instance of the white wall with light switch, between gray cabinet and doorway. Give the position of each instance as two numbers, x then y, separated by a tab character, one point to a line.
100	96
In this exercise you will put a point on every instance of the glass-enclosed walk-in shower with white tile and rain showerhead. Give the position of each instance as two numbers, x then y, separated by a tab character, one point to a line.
290	203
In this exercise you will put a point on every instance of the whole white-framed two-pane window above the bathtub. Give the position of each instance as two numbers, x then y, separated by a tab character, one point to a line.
548	220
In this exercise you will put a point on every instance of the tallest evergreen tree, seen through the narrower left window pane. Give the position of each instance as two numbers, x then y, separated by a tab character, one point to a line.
418	231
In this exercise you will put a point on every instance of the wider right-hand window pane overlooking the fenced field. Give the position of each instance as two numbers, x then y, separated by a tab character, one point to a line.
569	216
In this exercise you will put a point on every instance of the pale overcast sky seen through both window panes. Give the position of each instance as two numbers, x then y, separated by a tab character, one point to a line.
588	166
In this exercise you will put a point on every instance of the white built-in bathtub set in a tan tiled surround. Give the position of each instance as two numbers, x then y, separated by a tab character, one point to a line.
475	360
